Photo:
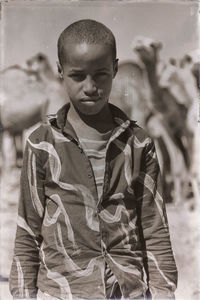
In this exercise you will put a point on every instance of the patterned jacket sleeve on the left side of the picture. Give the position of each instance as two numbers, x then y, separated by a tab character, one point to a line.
25	265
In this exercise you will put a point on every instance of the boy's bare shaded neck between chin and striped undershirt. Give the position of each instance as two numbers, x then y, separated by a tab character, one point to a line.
102	122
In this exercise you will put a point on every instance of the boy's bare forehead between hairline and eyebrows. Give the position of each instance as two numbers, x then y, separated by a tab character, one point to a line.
84	54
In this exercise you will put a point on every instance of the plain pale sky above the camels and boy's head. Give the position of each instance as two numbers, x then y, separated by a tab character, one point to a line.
29	27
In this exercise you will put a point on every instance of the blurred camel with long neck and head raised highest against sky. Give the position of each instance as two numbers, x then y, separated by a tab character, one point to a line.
172	102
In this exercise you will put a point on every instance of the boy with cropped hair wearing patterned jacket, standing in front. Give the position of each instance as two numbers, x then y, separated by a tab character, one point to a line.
91	214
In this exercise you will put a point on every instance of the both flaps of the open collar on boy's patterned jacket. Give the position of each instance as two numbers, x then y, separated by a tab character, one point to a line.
63	124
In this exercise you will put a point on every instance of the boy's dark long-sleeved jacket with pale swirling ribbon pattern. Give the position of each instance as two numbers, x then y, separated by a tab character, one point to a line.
65	234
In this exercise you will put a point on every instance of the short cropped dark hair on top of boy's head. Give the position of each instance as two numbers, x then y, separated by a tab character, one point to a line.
86	31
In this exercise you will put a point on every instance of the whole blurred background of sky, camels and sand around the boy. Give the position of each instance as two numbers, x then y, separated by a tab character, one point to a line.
158	85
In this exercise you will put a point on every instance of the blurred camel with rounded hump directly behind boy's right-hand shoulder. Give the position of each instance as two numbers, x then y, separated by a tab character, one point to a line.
132	93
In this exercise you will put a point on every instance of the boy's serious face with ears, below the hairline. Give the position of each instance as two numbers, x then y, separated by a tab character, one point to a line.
87	73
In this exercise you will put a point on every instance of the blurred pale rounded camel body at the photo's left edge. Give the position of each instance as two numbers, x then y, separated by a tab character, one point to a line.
18	114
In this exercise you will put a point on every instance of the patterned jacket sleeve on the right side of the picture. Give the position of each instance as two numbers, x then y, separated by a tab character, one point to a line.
153	227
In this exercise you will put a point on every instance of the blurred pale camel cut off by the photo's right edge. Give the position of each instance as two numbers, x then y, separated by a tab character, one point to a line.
183	82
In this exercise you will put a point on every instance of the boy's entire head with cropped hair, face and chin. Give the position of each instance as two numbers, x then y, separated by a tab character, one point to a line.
87	64
